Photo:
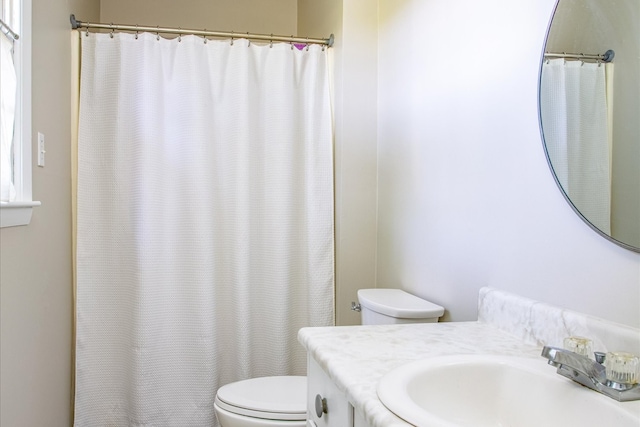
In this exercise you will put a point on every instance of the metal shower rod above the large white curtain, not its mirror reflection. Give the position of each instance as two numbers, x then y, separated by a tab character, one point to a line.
75	24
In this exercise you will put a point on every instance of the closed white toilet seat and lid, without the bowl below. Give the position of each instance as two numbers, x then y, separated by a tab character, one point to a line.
271	398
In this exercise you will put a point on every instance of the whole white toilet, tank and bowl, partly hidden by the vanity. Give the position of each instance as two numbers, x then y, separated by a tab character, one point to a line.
282	401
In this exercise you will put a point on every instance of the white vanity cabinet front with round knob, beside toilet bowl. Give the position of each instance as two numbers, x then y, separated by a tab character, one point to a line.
324	398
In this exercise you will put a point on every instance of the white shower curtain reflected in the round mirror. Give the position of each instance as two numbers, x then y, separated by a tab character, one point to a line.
573	100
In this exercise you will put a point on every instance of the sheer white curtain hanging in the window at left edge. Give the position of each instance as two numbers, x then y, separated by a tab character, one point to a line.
7	117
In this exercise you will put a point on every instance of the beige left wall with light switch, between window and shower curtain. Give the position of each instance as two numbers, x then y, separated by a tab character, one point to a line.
35	261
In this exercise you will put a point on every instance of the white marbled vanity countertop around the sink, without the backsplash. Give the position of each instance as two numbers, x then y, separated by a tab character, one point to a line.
356	357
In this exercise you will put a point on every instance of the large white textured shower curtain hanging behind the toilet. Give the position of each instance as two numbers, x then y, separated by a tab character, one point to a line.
204	221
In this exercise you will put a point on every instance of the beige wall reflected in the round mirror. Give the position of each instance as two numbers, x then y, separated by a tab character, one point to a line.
612	24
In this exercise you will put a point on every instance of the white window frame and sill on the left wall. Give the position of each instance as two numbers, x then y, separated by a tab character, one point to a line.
18	212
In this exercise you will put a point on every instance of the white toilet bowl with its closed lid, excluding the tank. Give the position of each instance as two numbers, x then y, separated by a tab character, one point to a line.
264	401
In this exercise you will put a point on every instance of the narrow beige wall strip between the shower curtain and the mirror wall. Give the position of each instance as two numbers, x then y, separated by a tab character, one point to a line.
354	24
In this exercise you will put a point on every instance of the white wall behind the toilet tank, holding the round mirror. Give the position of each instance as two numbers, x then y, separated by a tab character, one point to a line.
466	198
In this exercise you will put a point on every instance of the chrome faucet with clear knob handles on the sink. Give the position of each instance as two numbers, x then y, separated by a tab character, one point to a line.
589	373
